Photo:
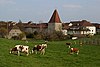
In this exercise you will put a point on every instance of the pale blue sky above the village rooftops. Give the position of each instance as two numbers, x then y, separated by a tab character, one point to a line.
36	10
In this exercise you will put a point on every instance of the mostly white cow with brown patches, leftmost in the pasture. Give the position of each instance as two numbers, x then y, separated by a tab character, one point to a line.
20	48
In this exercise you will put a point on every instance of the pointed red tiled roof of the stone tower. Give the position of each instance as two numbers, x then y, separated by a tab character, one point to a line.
55	17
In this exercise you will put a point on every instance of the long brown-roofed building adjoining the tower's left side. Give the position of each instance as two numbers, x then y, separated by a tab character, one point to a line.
32	27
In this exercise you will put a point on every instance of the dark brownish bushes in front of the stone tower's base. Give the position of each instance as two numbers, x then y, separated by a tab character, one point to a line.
56	35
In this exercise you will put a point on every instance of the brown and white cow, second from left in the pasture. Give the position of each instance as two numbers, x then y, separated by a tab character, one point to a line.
40	48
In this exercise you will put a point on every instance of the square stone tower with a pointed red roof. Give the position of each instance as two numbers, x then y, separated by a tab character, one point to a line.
54	23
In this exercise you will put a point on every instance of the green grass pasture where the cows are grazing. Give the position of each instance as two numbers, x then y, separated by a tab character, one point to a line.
56	55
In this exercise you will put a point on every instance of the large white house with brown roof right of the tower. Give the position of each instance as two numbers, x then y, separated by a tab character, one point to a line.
81	27
